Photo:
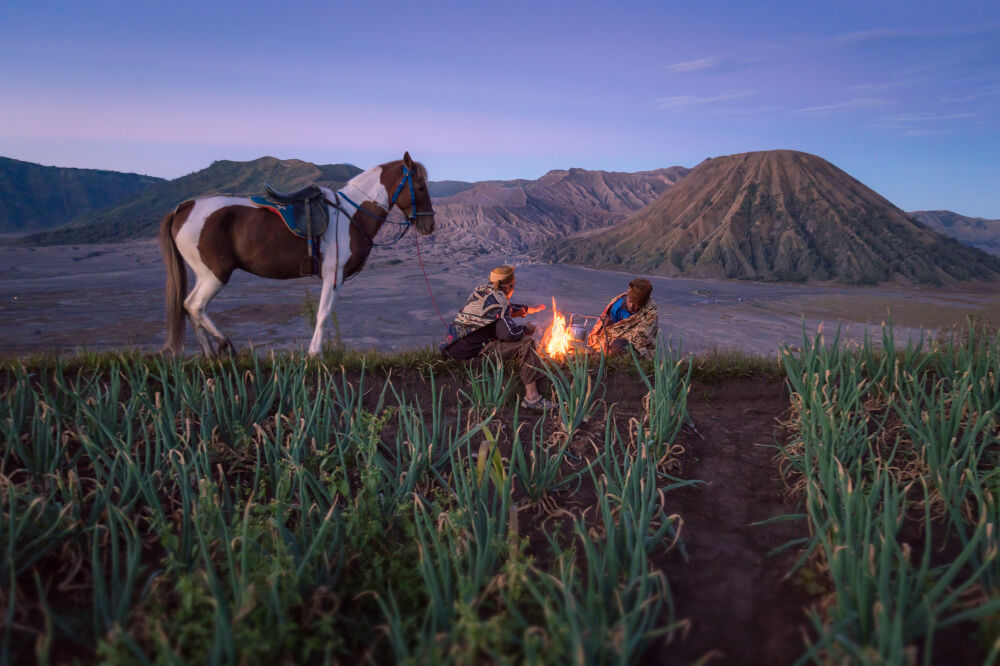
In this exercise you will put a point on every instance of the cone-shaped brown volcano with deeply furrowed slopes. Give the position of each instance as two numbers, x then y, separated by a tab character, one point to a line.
776	215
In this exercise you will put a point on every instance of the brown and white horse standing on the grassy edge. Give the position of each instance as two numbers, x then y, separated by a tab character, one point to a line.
216	235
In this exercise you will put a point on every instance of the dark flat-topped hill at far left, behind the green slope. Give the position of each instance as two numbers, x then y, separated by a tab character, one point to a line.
37	197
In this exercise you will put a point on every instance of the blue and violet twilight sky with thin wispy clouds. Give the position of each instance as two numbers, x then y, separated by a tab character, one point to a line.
904	96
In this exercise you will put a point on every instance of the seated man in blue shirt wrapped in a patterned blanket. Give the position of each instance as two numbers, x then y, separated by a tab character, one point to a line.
629	320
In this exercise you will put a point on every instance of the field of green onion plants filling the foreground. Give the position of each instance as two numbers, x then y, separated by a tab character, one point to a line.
377	510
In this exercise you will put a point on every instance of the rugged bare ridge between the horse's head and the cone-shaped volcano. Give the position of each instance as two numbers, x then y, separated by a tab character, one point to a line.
515	215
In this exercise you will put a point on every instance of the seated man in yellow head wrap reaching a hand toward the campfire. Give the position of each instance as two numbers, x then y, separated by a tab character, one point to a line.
485	325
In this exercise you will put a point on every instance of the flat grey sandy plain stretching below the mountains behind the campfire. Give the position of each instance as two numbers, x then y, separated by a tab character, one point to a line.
100	297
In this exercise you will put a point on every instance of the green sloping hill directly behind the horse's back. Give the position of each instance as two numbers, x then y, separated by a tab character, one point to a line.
140	216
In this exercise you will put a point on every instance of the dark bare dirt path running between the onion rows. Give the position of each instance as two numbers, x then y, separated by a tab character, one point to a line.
740	610
